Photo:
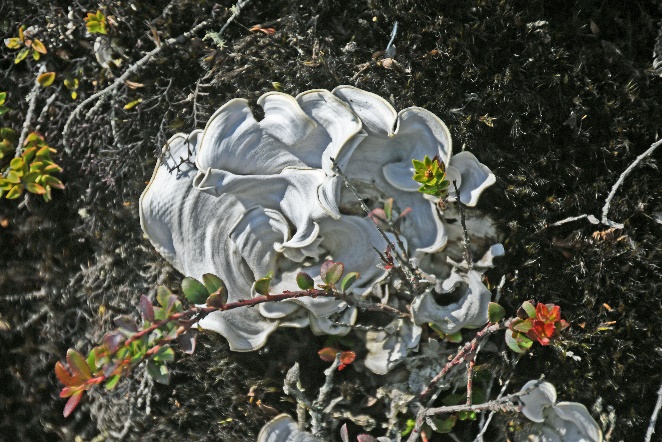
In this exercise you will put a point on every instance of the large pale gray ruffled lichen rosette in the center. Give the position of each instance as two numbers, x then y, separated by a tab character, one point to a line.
264	196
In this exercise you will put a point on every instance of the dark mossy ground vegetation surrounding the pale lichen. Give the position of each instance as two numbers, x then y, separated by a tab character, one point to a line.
557	98
